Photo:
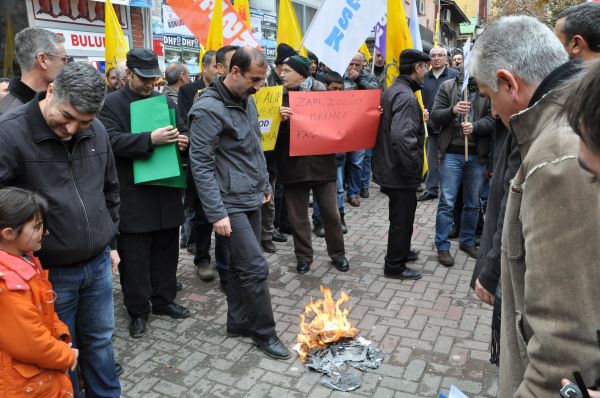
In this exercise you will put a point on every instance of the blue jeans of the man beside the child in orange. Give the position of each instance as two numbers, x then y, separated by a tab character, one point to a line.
84	302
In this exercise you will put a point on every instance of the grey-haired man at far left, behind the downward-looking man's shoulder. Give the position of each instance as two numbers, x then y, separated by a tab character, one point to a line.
41	55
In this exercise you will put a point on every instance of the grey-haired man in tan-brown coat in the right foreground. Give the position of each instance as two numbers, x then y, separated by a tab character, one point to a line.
549	271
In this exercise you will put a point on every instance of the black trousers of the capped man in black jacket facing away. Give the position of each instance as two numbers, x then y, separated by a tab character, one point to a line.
403	204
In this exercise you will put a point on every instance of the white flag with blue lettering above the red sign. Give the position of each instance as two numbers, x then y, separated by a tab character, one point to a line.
340	28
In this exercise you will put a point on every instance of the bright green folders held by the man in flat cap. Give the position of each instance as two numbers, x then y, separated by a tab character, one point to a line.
163	167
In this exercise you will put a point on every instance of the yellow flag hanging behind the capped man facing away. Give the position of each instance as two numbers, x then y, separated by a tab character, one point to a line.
398	39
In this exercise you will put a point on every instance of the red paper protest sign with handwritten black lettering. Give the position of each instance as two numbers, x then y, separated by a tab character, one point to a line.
326	122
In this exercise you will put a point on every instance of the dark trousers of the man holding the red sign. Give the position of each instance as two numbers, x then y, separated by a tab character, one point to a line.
297	198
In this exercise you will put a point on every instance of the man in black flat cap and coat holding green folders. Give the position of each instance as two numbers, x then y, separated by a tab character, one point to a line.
150	214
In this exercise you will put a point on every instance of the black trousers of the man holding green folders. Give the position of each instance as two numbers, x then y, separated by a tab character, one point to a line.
148	269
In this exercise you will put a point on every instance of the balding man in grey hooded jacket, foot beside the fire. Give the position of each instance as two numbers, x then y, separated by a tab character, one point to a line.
230	171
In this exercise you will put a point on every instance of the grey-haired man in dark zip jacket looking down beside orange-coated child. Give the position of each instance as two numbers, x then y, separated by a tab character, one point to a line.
55	146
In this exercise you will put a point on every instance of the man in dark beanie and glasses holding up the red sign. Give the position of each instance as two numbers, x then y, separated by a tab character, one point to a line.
300	174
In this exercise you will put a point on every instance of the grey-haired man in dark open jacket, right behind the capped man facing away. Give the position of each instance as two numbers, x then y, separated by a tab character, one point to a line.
434	78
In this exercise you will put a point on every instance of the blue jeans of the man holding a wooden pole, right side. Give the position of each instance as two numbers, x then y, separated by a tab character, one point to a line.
453	169
